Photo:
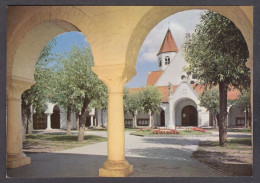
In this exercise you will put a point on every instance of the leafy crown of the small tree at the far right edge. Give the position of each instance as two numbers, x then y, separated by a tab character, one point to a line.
243	101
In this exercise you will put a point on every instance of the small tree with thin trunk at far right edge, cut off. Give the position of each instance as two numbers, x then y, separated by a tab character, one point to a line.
243	103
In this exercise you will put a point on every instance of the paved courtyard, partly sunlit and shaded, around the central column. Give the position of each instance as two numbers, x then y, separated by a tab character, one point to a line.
151	157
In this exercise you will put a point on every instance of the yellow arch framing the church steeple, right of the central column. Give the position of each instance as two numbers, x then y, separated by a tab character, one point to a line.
156	14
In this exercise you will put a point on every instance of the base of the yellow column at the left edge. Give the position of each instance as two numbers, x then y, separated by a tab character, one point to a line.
14	161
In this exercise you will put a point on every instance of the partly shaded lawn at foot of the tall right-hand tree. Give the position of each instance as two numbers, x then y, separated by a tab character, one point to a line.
235	159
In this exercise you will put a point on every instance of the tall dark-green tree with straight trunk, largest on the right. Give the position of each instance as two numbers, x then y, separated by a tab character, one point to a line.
216	53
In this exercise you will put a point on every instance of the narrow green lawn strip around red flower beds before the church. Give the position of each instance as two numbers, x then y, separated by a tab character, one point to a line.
148	132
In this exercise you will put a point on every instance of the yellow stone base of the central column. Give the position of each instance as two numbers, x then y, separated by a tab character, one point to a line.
116	169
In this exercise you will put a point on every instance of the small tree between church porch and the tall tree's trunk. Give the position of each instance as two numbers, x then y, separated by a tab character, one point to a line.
210	100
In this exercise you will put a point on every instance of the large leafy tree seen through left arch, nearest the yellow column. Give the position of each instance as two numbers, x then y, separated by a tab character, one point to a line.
77	88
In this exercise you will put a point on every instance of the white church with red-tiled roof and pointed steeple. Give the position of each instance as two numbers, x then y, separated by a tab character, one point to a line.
180	99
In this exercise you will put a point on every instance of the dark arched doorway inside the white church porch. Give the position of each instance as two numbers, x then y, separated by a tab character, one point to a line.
189	116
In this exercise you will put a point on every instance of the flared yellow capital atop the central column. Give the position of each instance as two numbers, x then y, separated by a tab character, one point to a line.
114	76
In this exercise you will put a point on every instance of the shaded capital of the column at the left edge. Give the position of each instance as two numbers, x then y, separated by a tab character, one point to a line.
16	86
